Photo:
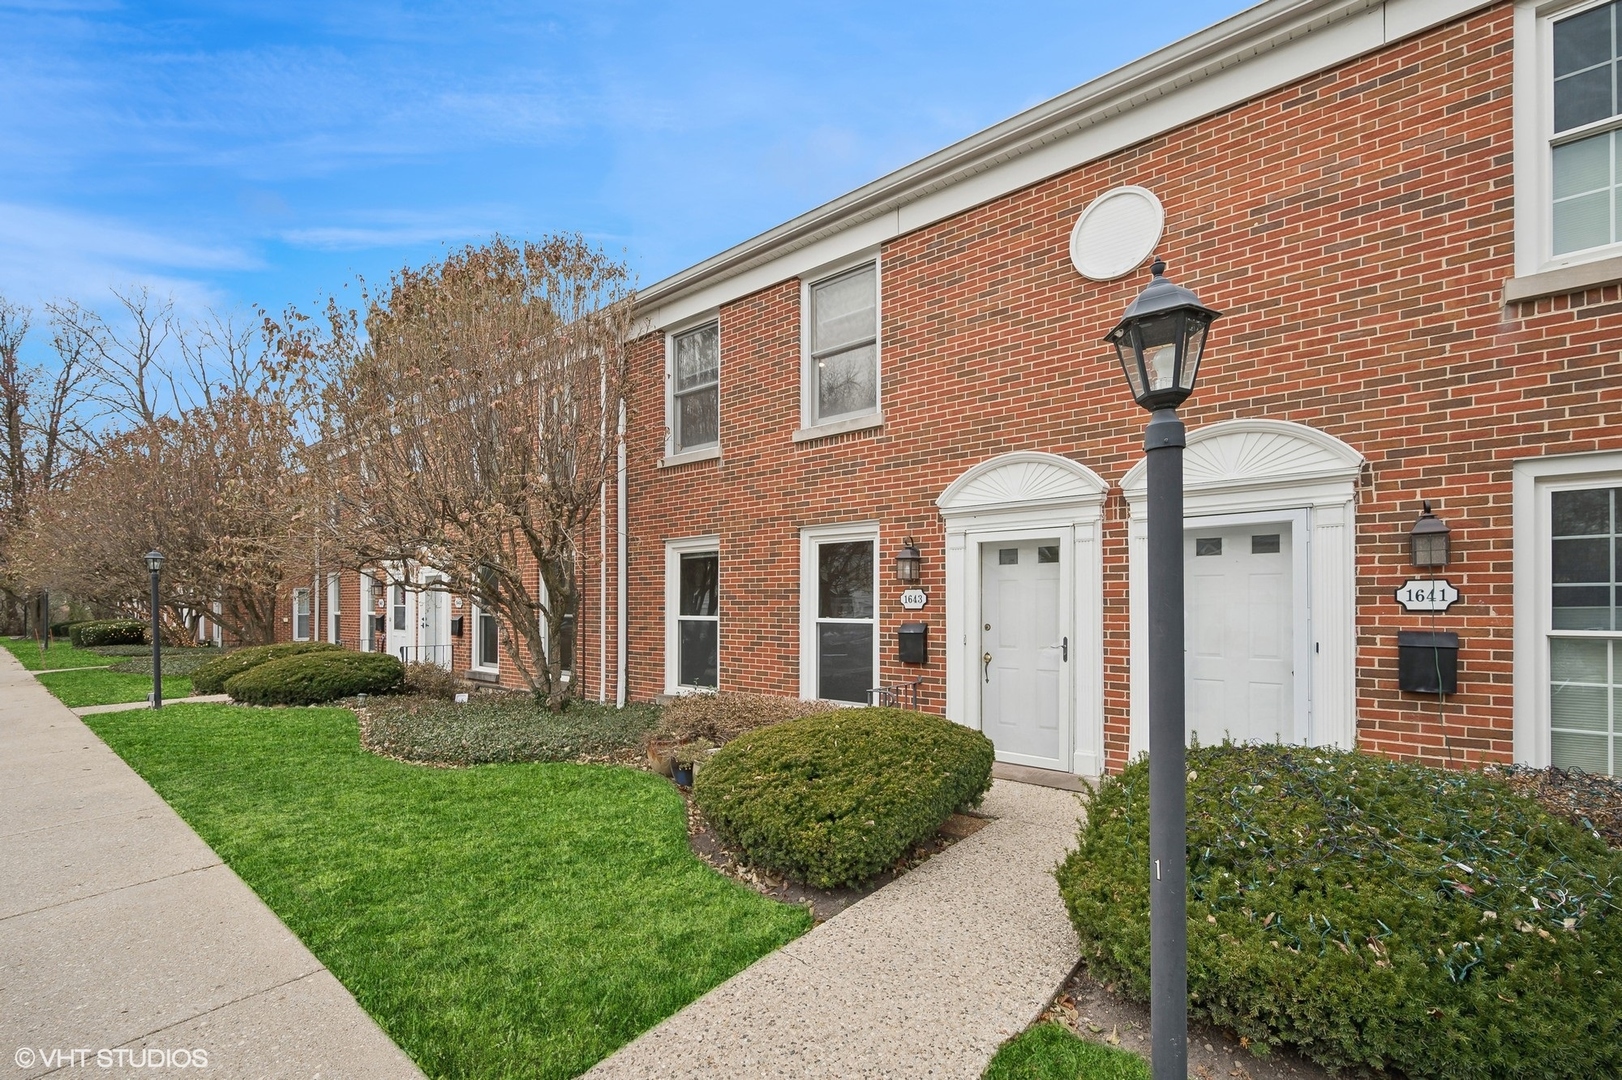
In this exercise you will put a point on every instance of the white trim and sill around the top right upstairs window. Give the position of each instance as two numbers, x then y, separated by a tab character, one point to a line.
1534	96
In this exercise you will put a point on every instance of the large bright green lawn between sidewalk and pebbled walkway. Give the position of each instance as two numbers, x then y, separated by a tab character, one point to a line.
513	920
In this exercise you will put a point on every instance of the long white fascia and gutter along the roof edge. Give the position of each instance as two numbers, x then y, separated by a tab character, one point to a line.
1251	54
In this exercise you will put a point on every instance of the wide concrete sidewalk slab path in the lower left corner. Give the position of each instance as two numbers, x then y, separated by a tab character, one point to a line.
122	932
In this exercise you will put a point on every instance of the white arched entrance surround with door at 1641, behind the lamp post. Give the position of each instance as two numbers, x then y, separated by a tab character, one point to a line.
1271	578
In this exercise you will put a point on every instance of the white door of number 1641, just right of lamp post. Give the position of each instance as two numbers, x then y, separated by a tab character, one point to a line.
1242	633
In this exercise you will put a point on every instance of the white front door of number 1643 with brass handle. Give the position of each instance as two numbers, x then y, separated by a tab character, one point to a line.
1024	701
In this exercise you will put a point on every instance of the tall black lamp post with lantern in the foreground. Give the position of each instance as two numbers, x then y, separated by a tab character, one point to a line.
1161	341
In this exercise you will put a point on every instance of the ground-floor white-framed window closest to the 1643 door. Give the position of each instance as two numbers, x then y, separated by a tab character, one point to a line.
839	632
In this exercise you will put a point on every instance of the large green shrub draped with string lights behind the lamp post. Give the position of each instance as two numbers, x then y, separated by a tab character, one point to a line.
1373	914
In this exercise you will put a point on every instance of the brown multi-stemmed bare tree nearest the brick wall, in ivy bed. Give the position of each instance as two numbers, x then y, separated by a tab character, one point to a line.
473	426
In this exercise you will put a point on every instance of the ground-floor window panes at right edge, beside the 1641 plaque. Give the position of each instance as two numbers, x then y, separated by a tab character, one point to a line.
1586	630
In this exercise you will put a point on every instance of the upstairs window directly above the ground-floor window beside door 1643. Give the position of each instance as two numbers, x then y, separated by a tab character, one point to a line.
843	346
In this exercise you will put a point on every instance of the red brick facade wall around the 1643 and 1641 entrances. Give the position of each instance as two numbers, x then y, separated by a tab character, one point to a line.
1355	229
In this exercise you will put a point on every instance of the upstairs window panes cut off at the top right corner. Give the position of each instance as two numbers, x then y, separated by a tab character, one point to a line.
1587	116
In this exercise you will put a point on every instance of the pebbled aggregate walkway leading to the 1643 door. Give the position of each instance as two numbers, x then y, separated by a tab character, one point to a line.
922	979
